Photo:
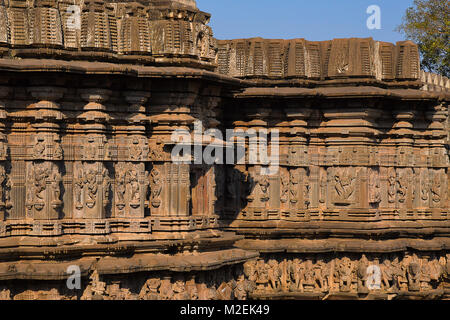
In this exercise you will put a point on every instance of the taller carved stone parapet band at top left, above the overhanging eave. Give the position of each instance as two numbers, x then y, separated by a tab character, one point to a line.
122	29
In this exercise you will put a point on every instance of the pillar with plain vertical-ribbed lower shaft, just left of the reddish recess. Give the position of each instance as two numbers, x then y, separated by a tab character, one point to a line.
170	109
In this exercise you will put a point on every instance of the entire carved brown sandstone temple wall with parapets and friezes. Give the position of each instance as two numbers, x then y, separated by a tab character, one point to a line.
87	116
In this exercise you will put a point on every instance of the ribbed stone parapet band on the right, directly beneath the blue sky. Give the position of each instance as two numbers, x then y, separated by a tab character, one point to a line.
299	58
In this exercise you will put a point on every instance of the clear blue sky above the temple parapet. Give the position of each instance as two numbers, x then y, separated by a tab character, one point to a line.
314	20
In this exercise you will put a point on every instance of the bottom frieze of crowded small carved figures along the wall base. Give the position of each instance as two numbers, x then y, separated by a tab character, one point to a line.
370	276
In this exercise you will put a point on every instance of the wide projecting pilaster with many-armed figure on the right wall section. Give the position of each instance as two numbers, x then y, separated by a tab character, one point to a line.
350	135
